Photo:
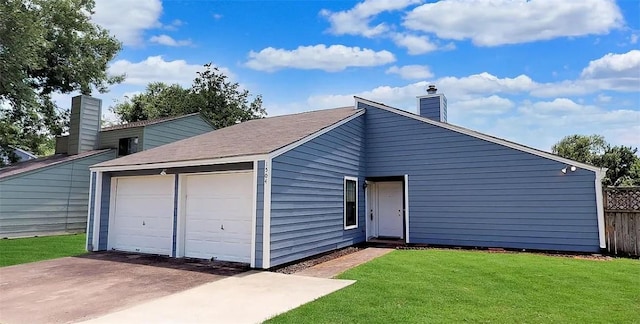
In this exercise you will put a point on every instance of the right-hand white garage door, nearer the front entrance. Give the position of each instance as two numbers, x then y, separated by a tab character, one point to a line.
218	212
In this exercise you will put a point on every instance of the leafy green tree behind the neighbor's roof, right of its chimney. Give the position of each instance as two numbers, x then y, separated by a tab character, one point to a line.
219	100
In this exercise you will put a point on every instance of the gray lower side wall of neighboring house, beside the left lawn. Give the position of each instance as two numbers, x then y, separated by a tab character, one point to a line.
49	200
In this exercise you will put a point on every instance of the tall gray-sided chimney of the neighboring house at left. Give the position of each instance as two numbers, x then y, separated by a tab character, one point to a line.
84	124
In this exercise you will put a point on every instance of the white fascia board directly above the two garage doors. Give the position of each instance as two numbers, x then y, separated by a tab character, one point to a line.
179	164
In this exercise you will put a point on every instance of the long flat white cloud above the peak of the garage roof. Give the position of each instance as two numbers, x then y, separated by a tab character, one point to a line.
332	59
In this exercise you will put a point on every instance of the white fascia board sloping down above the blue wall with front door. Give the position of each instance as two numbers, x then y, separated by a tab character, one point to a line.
481	136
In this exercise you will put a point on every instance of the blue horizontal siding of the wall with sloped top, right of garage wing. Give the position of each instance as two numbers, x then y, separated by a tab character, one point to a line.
465	191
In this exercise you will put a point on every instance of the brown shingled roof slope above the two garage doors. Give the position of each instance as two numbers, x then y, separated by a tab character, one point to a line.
258	136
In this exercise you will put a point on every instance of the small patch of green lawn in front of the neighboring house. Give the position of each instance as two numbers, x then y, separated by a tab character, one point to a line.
24	250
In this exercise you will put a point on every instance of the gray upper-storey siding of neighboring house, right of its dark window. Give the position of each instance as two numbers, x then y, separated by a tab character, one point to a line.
174	130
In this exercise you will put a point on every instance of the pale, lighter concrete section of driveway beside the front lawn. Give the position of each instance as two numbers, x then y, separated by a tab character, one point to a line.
251	297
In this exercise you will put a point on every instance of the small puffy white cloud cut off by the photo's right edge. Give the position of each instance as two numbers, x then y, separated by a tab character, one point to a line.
625	65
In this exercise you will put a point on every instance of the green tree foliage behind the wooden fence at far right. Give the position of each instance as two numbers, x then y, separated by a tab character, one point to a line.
622	162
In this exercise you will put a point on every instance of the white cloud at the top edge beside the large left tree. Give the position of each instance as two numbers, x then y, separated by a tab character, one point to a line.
128	20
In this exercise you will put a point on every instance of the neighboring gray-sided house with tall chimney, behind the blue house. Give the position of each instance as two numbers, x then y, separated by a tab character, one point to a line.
50	195
